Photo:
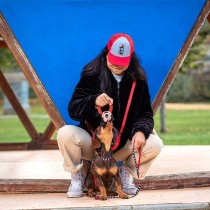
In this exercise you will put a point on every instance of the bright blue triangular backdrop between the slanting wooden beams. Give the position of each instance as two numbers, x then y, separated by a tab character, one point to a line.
60	36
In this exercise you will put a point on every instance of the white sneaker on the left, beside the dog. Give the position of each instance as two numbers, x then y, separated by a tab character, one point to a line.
77	184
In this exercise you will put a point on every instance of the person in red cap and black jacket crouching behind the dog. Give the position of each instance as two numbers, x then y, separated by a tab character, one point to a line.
107	80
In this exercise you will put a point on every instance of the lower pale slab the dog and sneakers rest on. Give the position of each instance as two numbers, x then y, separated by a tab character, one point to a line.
160	199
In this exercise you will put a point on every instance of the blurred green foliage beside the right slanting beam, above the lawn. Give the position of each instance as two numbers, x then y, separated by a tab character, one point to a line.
192	83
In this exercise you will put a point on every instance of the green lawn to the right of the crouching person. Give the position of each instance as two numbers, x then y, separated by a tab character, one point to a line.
185	127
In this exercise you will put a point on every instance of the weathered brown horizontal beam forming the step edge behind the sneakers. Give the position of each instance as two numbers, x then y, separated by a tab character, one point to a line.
174	181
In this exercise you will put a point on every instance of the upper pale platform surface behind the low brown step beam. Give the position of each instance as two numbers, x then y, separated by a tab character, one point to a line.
47	164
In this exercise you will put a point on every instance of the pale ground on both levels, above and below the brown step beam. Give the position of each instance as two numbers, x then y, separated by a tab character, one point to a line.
47	164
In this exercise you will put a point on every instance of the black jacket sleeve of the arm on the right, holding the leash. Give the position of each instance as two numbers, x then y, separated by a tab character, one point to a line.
144	121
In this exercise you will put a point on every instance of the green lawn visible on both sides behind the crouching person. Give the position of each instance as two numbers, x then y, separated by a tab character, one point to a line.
184	127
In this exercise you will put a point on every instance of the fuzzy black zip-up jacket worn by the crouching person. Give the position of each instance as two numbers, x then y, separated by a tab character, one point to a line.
140	117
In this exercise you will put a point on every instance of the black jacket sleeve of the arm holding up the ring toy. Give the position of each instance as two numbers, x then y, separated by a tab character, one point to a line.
82	103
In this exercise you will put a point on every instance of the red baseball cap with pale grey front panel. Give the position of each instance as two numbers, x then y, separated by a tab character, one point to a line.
120	47
